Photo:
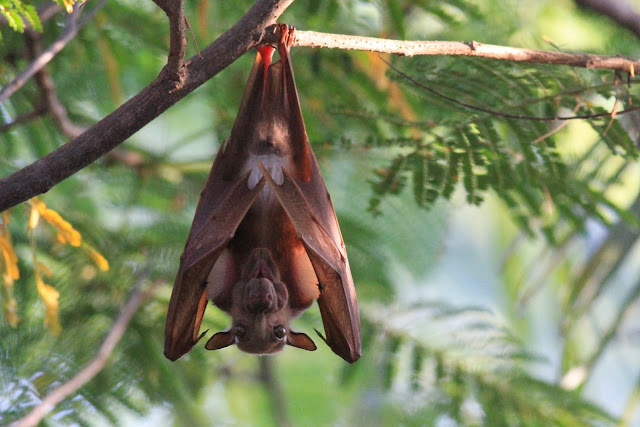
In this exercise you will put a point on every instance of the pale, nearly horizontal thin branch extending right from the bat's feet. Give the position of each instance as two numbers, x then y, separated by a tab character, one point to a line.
452	48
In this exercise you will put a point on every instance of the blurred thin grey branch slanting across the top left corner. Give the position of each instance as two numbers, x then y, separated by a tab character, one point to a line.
71	28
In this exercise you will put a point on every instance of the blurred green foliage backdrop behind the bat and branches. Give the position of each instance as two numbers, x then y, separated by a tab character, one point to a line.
496	259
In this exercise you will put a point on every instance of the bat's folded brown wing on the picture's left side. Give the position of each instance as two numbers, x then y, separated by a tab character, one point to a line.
205	243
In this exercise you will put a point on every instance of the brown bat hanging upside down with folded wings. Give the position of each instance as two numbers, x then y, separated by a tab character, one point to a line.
265	240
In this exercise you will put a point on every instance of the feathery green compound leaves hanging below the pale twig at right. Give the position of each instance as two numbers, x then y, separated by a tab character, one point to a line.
478	148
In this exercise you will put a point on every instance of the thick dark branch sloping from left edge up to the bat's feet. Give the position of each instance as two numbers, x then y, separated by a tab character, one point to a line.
37	178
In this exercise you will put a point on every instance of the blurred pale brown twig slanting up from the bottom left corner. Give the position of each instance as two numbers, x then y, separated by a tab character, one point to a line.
87	373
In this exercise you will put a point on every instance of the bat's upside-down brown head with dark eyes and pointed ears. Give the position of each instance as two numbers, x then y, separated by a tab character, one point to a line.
260	312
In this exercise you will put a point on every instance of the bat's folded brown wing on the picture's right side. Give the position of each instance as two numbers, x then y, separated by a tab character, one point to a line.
337	301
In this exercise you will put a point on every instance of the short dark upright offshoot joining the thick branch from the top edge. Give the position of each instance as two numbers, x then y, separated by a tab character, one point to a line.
177	38
